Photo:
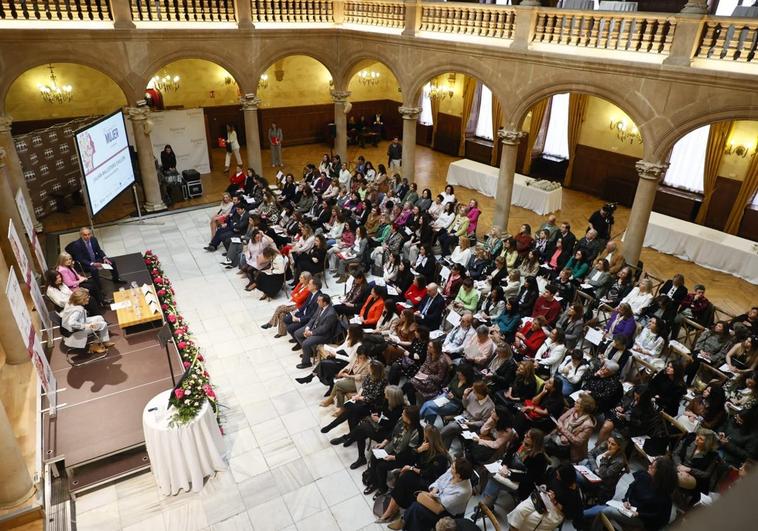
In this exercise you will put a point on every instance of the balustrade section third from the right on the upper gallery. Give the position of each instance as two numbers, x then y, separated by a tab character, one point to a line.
466	19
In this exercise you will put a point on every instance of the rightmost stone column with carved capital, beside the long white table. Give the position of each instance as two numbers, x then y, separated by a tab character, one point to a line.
650	174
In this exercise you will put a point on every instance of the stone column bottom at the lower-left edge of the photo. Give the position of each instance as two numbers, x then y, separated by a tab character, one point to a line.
16	486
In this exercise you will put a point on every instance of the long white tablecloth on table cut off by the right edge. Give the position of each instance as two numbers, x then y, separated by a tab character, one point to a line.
705	246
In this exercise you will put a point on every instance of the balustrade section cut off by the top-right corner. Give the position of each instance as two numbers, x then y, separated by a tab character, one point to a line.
729	39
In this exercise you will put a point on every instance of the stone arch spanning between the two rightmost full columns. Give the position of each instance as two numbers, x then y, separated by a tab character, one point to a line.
640	115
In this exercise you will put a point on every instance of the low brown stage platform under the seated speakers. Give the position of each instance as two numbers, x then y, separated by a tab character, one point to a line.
97	431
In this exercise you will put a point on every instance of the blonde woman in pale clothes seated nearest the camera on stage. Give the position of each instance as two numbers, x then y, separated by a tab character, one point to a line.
75	321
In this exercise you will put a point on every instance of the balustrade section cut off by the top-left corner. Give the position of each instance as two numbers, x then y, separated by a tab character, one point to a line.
55	10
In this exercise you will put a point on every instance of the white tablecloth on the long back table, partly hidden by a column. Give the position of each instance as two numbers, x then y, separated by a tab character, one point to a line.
483	178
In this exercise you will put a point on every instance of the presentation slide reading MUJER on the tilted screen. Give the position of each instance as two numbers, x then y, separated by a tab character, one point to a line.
105	161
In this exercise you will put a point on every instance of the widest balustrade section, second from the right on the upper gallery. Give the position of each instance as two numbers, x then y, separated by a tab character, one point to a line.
636	32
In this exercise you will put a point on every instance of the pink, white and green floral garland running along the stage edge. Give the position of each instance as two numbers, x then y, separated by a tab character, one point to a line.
195	387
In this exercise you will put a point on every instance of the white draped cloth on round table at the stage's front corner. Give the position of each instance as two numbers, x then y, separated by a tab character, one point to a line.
182	455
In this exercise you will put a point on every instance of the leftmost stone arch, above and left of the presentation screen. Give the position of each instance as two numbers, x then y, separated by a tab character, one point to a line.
111	71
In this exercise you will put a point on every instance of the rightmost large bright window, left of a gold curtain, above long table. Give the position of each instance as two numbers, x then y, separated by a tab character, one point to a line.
687	161
